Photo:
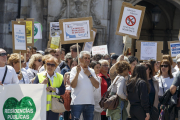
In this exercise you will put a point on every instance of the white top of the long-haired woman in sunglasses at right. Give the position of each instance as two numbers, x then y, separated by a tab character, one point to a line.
164	82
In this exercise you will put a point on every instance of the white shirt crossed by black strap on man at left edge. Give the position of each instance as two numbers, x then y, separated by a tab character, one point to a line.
11	77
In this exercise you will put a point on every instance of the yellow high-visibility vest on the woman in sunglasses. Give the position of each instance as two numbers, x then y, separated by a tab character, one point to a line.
57	81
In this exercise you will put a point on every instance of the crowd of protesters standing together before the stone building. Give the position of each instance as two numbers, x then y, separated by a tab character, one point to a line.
141	86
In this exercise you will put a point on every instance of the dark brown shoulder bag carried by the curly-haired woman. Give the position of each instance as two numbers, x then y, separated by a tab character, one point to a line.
109	101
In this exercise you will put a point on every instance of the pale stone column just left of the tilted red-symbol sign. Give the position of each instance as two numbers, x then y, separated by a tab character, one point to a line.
115	41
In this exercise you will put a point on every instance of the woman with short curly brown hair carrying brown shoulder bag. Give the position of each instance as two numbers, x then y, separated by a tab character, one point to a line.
119	88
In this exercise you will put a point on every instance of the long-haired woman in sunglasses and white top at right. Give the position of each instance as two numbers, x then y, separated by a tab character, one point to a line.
165	77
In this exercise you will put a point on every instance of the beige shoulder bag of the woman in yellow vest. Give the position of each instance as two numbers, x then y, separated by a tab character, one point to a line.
57	105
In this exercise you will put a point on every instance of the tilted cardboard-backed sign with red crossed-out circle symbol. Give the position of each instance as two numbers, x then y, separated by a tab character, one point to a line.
130	20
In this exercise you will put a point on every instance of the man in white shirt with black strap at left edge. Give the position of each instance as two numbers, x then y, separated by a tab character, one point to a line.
10	76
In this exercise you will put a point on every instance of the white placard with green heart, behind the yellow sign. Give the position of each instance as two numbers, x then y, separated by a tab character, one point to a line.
37	31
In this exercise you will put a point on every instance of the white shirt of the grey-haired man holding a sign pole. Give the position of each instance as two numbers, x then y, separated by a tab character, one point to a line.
83	93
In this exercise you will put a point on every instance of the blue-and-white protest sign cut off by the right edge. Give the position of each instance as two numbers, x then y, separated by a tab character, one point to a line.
174	48
